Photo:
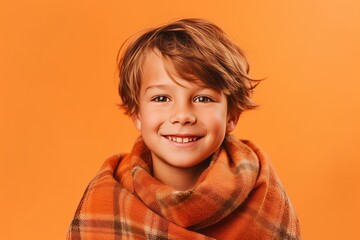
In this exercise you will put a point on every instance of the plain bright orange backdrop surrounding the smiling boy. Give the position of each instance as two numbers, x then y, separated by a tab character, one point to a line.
59	120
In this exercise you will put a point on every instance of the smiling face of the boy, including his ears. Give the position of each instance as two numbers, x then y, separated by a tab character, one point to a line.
181	125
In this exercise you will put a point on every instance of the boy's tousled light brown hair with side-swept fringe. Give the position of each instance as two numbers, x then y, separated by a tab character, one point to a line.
199	50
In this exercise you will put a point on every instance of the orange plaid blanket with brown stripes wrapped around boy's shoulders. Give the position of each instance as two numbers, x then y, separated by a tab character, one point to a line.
237	197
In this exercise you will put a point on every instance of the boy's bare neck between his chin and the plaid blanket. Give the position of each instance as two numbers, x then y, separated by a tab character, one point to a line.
181	179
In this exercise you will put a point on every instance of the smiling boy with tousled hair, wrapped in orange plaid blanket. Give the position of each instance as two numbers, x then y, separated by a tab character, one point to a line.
185	85
